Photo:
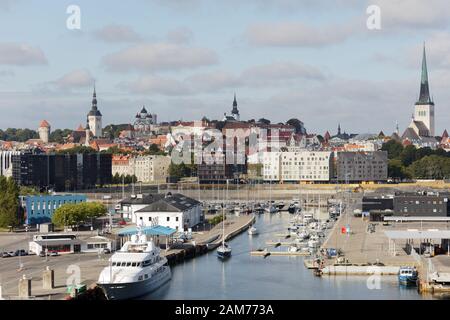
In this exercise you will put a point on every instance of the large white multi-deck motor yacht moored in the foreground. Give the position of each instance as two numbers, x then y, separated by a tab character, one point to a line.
135	270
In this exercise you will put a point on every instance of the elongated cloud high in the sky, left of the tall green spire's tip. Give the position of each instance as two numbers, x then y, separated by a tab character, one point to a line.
296	34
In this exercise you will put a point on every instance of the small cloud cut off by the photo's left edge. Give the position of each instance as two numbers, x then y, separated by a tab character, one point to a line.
21	55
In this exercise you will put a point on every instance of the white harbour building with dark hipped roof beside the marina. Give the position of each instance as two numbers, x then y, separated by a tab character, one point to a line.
174	211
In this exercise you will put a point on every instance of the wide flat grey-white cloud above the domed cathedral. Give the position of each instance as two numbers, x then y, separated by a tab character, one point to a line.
159	56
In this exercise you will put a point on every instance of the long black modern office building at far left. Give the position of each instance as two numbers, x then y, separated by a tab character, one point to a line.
62	172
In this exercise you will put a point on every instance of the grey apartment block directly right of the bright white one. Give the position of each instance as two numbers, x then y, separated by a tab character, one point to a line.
362	166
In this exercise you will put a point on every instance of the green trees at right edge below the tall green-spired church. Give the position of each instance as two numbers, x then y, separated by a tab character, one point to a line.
412	163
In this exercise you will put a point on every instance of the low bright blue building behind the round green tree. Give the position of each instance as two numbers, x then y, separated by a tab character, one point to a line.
39	209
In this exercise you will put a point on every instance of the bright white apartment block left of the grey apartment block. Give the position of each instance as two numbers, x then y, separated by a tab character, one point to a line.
298	166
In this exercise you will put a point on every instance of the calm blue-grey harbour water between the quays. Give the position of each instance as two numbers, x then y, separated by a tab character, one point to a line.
246	277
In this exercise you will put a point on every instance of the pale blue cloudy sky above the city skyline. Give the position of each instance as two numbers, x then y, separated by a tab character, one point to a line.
314	60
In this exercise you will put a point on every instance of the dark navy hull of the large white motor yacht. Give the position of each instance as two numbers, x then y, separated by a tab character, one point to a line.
126	291
